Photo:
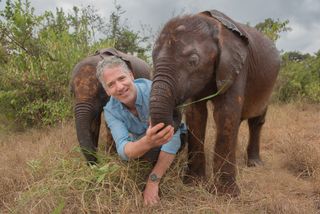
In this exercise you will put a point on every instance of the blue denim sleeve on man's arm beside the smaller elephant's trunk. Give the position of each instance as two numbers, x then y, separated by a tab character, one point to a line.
119	132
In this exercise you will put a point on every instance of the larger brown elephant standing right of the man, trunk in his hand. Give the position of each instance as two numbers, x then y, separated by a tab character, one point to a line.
197	55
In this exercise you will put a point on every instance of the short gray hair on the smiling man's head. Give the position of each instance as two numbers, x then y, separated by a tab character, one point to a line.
110	62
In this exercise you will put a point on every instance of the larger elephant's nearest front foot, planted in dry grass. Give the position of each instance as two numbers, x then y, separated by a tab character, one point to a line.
231	190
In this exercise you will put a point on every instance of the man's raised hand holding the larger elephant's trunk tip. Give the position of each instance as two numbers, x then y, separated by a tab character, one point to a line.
158	138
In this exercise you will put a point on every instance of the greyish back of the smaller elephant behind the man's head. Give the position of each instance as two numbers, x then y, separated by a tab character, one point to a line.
139	68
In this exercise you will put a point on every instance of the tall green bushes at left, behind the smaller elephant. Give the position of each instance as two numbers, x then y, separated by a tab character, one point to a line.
38	53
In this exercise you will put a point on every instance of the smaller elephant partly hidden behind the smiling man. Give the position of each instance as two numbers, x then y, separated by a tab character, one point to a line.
90	97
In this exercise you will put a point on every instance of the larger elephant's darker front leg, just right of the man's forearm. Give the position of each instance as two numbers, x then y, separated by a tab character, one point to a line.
196	117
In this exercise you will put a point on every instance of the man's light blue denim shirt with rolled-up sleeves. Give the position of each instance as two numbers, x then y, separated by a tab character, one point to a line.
126	127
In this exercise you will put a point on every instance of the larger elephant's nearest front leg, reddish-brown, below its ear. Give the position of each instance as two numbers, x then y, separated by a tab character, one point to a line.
227	117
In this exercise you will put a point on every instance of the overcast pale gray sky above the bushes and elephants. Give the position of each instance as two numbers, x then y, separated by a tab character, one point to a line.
303	15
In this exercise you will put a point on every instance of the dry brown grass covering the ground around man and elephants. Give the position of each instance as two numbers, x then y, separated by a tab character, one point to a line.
43	172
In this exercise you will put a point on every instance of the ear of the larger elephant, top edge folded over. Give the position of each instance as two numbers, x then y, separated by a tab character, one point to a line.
232	42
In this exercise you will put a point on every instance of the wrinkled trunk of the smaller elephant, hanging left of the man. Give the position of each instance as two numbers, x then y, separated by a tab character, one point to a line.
84	118
